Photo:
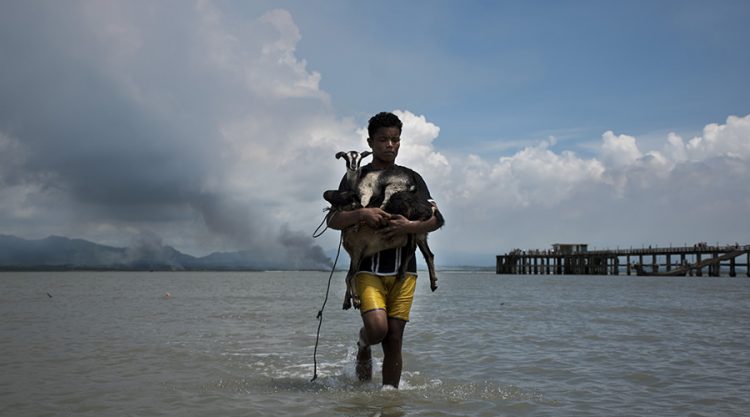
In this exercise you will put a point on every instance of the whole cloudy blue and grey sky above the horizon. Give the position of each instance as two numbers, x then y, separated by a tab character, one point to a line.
213	125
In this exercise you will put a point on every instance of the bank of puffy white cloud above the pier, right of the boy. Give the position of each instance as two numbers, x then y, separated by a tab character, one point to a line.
622	197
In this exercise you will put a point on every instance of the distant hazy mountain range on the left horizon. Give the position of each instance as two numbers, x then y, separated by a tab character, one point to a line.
62	253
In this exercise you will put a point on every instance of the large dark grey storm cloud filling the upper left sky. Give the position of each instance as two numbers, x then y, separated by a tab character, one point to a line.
124	119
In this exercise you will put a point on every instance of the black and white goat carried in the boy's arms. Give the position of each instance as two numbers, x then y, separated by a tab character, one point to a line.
362	240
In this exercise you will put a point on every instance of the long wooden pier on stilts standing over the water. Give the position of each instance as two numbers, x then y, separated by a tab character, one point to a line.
575	259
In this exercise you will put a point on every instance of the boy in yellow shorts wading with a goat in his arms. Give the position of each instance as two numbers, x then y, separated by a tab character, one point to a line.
386	300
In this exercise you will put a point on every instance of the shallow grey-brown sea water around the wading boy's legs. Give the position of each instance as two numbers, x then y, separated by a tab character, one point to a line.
241	344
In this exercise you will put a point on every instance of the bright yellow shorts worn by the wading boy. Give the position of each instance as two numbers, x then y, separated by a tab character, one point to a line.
386	293
